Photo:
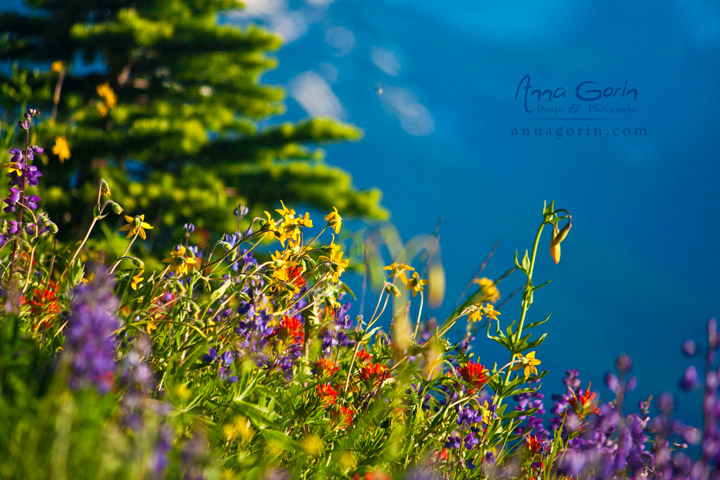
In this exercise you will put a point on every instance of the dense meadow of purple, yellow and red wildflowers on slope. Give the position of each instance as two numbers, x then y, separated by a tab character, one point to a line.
239	359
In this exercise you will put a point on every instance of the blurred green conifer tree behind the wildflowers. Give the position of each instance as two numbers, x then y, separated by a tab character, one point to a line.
163	102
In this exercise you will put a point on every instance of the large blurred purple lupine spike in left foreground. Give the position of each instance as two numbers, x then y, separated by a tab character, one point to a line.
90	343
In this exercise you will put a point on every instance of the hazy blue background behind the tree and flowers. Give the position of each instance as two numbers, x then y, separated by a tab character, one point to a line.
639	268
